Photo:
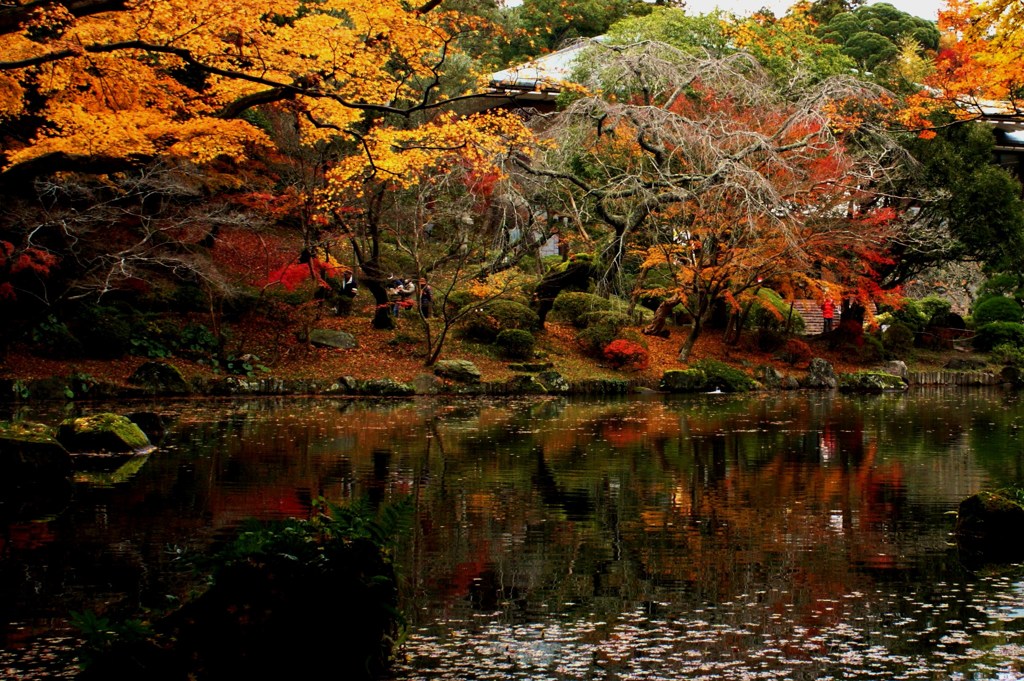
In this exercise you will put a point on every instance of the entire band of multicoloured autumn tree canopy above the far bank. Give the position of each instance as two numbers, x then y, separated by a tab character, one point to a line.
697	159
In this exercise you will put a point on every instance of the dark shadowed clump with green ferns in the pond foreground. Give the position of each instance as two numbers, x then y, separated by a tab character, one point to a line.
313	599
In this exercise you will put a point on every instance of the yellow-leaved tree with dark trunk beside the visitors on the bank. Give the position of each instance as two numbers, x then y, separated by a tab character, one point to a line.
421	189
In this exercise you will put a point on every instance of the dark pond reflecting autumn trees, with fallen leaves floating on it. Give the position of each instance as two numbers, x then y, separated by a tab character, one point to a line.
793	536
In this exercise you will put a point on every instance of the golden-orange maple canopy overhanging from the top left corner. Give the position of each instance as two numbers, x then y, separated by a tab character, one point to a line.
173	78
